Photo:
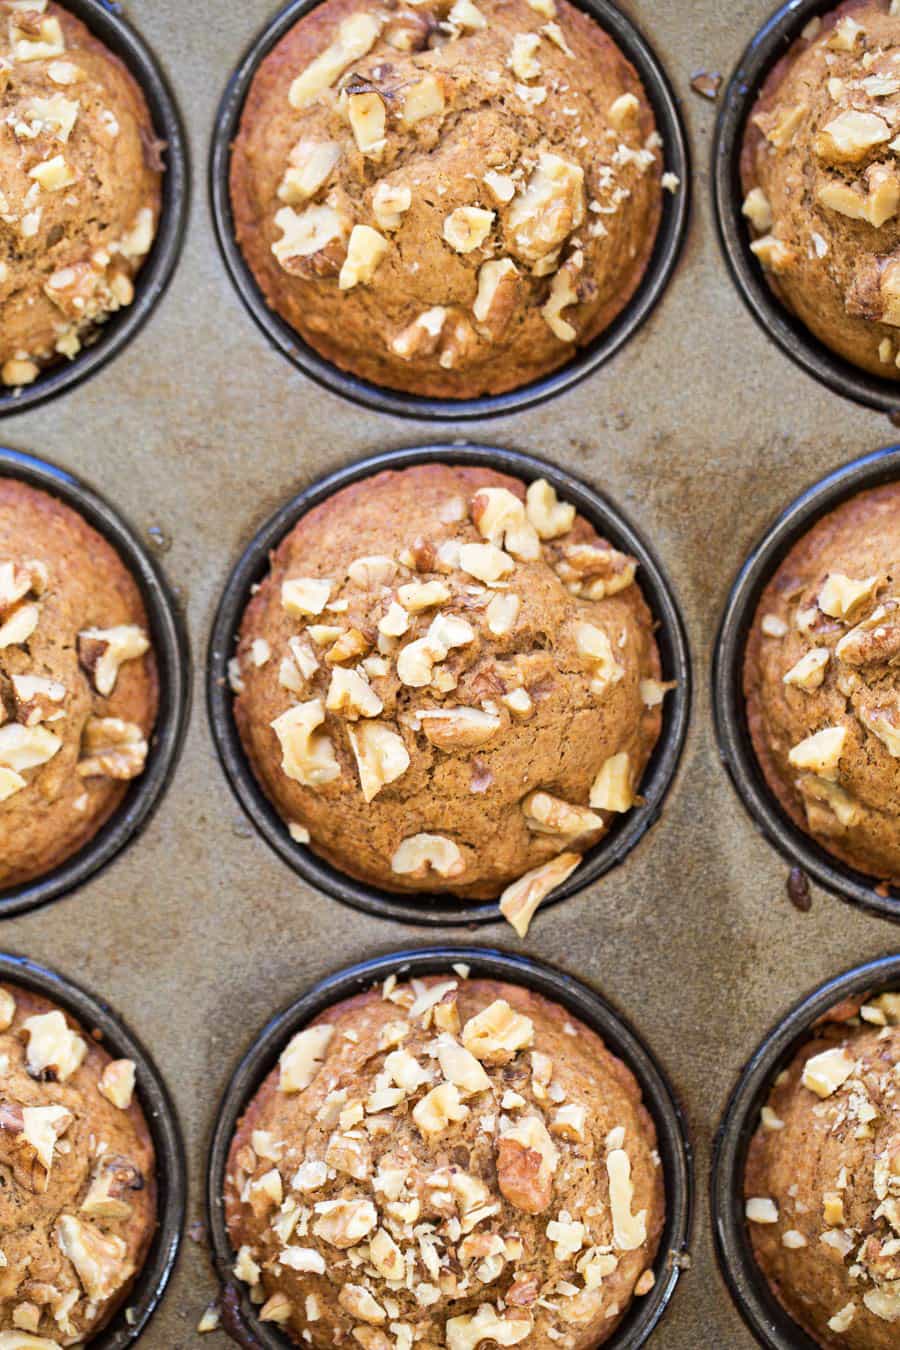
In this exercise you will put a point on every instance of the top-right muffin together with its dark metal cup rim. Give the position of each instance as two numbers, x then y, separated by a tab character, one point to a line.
813	102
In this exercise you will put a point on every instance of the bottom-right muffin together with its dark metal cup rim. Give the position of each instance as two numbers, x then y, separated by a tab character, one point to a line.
805	1175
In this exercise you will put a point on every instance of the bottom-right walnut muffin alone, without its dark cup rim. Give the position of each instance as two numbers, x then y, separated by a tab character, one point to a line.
824	1182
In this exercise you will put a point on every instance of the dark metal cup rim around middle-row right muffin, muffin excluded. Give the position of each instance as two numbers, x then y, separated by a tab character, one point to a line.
729	707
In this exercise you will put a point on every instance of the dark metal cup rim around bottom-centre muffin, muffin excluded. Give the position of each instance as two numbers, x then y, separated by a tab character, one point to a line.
485	963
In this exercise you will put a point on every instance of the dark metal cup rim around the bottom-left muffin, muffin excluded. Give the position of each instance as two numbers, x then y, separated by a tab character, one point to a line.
95	1016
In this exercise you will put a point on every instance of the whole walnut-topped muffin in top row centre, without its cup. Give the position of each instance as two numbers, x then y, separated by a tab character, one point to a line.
447	199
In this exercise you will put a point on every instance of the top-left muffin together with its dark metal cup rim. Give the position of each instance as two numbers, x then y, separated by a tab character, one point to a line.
95	194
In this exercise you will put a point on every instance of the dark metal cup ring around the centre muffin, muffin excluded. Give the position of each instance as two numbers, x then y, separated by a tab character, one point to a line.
430	909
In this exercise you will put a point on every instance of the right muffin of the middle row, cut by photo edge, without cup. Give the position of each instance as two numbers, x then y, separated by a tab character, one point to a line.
822	682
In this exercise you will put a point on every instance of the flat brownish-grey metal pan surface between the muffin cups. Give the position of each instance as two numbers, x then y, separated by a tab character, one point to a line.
701	430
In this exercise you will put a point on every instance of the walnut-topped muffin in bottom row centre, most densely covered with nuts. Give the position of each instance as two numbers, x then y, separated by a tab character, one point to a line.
450	1163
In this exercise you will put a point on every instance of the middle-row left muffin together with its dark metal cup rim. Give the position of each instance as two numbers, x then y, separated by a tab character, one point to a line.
94	682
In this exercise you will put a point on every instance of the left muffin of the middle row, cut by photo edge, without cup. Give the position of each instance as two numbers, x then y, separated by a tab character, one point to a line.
78	682
